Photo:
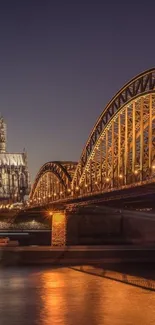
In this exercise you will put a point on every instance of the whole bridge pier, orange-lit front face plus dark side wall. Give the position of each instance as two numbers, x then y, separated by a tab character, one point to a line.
84	226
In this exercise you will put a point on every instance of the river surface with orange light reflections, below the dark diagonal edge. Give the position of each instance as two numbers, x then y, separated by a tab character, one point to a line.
63	296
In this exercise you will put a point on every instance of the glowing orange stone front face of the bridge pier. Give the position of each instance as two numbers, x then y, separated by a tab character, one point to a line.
58	237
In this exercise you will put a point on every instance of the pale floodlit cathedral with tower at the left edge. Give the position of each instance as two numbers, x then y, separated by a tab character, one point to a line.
14	176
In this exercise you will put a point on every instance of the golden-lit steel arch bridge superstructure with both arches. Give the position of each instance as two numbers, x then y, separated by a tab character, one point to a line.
119	153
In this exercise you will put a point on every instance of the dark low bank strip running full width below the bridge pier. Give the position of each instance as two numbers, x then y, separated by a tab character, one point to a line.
75	255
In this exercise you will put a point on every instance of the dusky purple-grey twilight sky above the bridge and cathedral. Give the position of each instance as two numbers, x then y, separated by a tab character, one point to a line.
61	62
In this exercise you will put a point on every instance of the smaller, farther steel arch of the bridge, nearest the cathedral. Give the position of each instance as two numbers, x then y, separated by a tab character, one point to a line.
53	182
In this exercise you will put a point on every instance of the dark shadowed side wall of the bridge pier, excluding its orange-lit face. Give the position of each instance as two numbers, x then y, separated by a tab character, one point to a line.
93	226
